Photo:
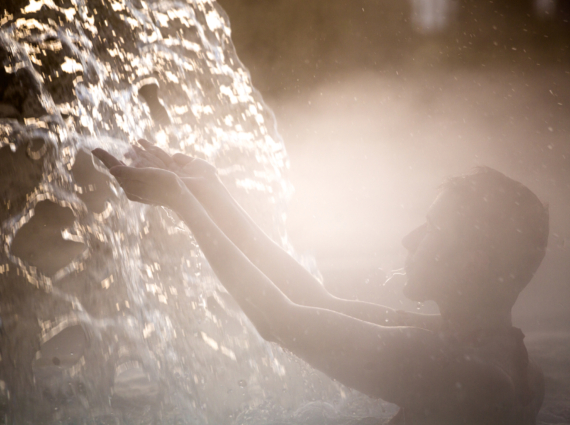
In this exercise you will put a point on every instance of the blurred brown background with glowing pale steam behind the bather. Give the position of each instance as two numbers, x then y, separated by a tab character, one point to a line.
378	101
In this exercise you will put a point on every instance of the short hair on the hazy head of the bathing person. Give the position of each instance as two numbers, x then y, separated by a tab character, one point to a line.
506	220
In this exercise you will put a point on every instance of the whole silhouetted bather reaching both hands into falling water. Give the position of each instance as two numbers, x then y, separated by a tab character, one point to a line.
485	236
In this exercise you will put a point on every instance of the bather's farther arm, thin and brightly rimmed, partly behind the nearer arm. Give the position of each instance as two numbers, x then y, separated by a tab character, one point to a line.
283	270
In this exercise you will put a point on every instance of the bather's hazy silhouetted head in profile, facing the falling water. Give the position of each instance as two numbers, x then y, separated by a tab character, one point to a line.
485	236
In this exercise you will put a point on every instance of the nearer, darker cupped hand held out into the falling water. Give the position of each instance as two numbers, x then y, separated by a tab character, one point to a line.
146	185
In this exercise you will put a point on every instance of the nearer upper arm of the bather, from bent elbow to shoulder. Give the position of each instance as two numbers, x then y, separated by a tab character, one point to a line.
404	365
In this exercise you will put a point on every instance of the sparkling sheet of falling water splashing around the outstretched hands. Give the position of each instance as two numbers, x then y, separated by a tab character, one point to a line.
109	312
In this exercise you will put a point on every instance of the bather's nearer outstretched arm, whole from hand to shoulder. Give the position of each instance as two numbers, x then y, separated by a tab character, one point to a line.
408	366
